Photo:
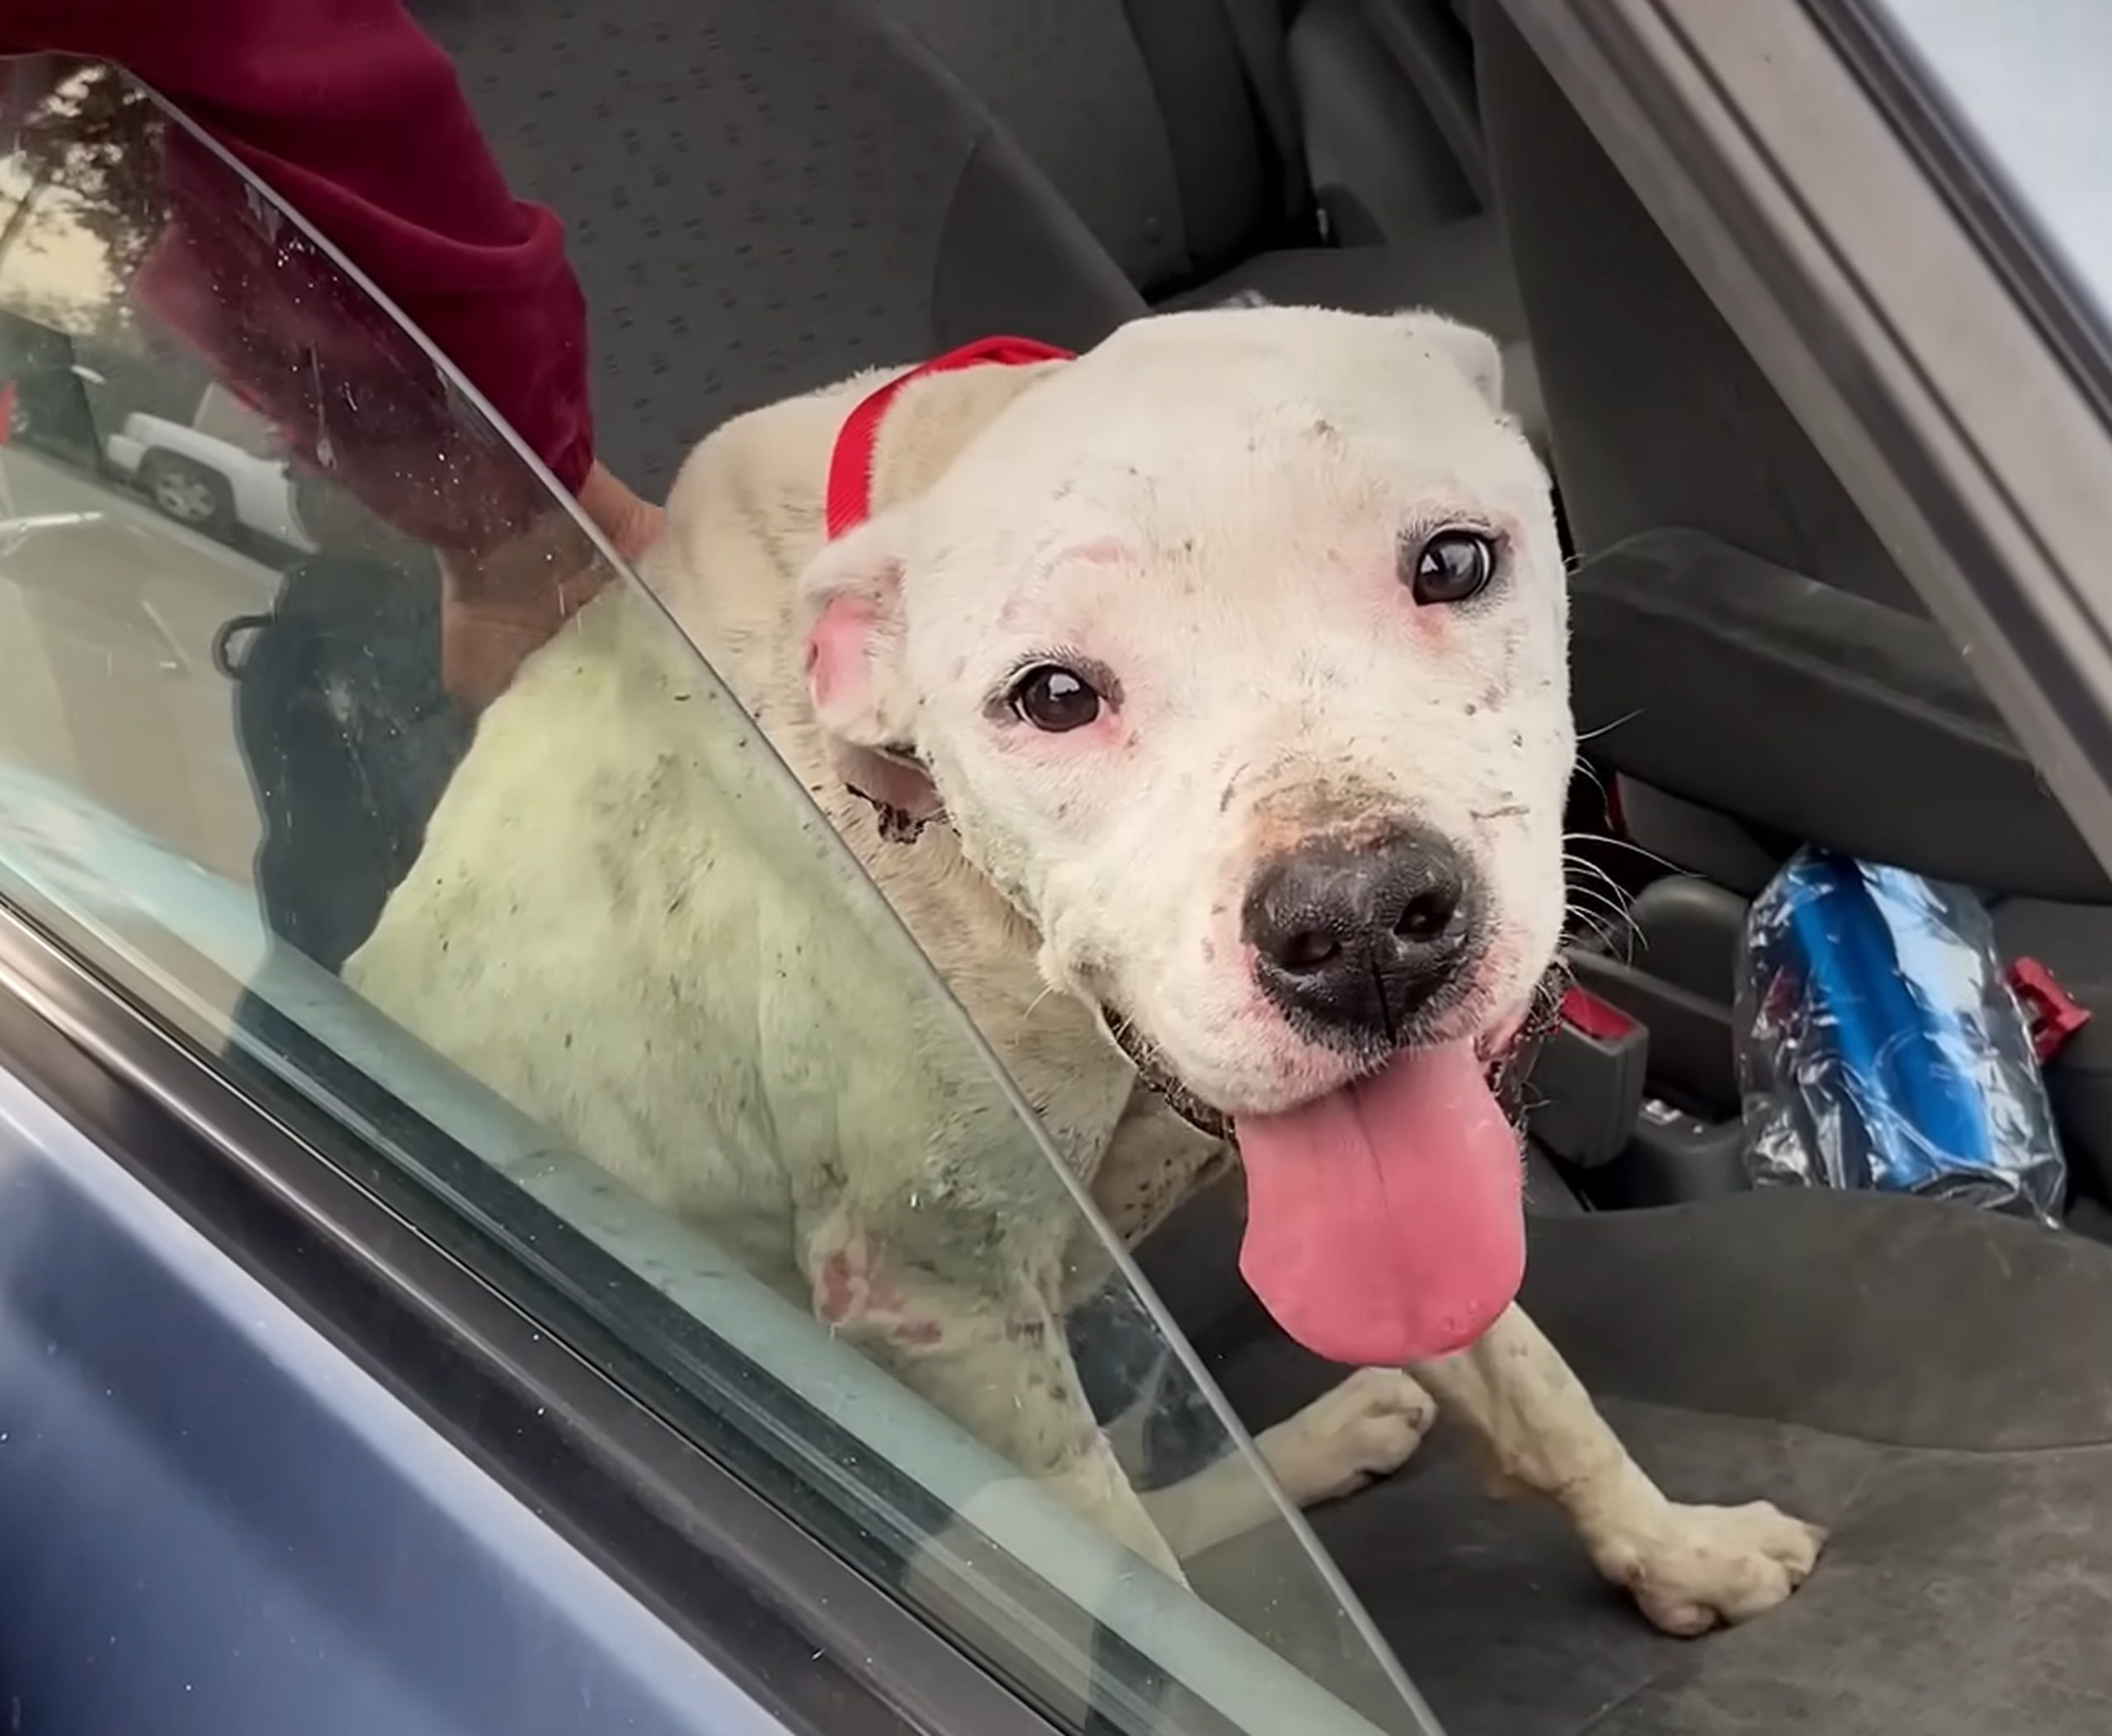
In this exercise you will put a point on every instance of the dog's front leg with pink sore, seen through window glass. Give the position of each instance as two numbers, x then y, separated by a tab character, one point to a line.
994	1357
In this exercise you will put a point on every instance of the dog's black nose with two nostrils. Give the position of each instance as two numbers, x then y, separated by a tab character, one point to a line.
1355	939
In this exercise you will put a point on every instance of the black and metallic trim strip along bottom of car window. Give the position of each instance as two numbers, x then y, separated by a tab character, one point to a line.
620	1484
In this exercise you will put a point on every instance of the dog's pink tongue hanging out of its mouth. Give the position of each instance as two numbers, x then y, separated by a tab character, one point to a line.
1384	1222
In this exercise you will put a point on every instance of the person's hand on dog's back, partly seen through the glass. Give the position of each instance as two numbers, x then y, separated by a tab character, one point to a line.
499	607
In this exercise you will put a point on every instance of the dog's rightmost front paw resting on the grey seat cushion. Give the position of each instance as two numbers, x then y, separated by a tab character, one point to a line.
1699	1568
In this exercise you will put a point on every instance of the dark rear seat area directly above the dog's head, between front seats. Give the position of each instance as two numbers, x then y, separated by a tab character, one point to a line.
1289	151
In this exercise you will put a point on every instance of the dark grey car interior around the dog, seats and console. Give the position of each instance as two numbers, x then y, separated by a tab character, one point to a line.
768	195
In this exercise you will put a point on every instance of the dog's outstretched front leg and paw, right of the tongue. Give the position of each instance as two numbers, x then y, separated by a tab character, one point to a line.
1691	1568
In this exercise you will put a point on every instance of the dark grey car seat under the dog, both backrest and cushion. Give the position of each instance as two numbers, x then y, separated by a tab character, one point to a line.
768	193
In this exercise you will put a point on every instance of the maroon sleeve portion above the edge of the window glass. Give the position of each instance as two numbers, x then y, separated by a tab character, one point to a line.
358	121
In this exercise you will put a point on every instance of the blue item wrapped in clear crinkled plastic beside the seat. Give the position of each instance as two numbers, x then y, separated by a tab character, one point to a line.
1881	1044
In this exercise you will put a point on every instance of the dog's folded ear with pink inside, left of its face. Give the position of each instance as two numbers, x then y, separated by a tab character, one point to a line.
856	677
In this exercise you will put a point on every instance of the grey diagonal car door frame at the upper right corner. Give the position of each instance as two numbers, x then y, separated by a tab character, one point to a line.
1832	244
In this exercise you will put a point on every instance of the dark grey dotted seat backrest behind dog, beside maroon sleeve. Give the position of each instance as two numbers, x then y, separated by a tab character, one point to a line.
763	197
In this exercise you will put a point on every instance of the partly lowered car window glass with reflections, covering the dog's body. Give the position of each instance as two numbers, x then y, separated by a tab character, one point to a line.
261	567
